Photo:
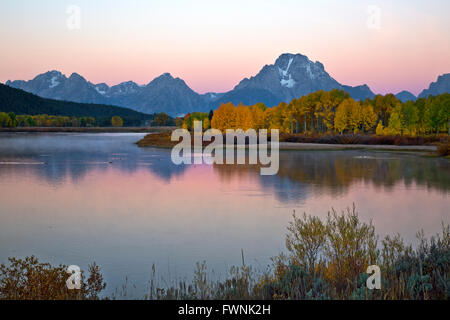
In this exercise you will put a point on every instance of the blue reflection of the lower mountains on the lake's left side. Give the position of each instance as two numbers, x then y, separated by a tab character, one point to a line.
56	158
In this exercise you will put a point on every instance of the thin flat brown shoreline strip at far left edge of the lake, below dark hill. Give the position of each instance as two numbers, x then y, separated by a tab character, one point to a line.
88	129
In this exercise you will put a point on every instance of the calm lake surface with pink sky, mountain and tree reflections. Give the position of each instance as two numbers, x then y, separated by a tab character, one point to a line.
79	198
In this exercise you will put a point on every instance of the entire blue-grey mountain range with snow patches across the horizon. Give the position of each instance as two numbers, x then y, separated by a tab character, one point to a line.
291	76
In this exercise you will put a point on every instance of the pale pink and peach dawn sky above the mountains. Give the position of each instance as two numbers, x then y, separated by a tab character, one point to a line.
213	45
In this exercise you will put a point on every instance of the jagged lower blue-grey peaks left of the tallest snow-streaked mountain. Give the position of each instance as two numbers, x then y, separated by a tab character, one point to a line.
164	93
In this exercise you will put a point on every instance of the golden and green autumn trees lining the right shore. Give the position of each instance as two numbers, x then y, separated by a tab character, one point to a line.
334	112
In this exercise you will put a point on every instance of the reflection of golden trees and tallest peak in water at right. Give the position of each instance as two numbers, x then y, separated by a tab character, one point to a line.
333	172
